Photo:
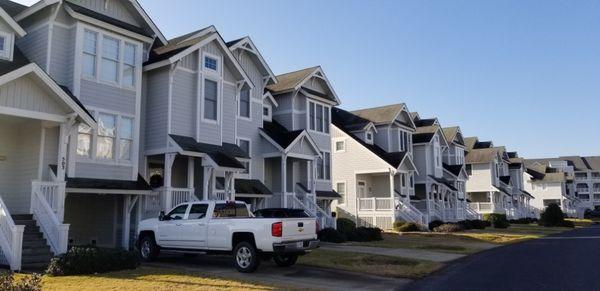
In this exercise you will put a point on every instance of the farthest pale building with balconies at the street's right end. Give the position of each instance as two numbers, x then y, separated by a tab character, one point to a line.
573	182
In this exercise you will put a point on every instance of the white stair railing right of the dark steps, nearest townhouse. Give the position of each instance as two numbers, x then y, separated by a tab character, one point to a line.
55	232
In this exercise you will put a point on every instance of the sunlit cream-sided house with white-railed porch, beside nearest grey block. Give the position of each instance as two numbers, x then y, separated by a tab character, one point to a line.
372	165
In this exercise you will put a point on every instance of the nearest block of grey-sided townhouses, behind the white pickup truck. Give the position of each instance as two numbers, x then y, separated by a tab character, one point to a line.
104	122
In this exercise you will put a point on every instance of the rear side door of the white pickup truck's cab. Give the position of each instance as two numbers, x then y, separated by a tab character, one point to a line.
194	230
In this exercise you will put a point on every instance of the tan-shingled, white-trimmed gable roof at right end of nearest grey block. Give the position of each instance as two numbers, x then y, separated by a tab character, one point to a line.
294	80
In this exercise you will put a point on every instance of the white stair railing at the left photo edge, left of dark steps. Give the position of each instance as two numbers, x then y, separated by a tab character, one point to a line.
11	239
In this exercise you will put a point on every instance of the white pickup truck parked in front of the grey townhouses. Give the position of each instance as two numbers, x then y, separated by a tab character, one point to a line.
227	227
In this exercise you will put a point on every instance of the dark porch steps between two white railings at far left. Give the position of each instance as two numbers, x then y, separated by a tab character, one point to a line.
36	252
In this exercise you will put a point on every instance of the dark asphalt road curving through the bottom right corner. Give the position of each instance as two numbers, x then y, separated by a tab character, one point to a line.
567	261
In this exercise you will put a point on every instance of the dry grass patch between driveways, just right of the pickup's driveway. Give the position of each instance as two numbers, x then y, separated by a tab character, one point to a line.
370	264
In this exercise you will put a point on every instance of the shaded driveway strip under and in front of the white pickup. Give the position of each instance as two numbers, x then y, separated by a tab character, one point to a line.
297	276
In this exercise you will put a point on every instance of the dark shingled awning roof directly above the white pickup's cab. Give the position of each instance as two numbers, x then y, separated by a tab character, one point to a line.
224	156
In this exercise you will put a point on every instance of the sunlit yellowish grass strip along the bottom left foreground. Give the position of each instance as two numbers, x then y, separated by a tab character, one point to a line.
149	278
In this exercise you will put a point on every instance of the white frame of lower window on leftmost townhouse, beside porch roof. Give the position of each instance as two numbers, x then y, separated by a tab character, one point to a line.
116	151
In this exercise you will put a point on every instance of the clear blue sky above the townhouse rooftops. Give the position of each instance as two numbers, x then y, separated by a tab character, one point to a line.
525	74
